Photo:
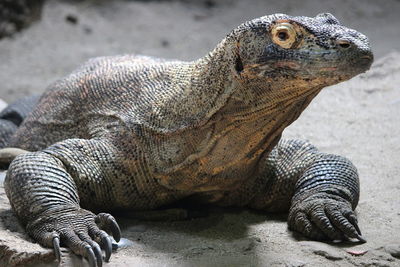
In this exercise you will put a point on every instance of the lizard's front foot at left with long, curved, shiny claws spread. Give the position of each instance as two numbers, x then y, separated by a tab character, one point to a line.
77	229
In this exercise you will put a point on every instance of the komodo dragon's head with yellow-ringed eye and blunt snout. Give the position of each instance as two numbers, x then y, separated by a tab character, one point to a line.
316	50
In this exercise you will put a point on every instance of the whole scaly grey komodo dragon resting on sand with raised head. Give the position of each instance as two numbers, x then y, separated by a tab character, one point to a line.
136	133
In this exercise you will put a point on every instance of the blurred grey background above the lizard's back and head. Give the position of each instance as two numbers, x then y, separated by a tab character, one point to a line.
57	36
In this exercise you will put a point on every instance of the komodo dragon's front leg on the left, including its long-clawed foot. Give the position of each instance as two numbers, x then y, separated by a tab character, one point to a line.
43	191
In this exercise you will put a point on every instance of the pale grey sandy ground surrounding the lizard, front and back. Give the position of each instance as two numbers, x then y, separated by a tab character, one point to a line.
358	119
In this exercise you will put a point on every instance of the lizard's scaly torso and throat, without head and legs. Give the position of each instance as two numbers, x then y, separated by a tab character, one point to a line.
218	154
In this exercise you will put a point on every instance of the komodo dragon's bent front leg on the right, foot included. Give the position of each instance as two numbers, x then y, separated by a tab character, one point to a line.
321	189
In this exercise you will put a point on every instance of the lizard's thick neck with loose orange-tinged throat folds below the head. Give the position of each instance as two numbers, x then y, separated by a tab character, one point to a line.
231	123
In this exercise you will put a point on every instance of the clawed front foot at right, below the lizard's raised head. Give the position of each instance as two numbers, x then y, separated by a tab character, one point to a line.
324	217
